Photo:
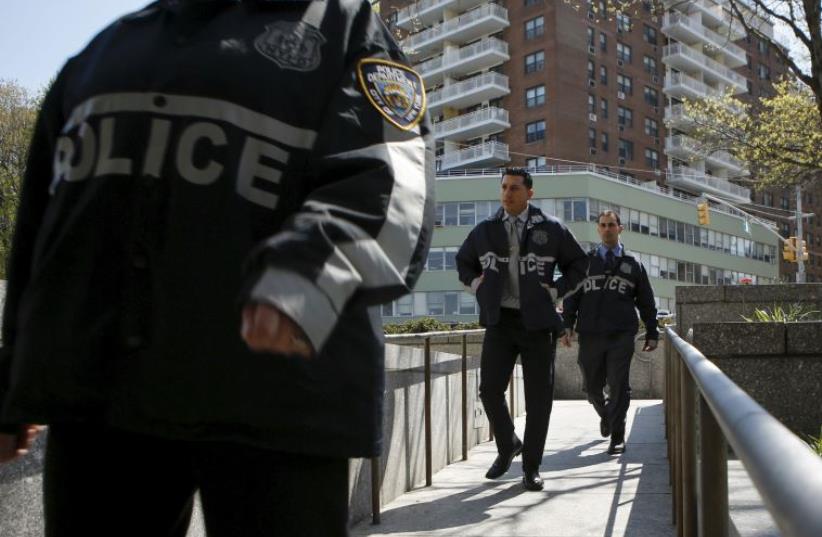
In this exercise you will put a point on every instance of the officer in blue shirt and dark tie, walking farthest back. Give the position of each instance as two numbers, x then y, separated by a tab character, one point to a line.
603	312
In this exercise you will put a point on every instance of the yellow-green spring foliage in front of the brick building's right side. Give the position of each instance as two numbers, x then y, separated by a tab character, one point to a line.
779	138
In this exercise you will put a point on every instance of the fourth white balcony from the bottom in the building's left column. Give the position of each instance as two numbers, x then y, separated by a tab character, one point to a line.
484	54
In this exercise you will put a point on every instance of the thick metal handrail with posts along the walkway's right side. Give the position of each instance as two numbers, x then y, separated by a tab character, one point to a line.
787	474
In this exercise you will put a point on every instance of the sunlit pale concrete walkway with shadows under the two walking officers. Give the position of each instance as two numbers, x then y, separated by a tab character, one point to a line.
587	492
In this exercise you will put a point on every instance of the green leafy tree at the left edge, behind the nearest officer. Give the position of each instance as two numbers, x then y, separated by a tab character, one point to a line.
18	112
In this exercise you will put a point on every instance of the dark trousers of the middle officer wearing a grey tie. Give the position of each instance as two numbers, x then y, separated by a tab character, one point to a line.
503	342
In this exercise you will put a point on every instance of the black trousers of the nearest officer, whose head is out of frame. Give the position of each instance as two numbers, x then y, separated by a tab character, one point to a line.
103	482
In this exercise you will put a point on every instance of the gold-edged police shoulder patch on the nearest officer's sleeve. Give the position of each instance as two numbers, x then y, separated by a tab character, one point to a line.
396	91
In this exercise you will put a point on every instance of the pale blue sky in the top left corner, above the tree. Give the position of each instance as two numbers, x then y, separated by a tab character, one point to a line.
38	36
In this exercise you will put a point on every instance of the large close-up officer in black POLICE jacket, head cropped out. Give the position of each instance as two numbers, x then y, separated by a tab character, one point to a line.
218	195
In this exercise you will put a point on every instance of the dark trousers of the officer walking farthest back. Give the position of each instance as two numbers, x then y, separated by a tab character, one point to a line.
606	358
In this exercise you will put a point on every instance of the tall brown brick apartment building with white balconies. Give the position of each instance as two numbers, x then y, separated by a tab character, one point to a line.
547	83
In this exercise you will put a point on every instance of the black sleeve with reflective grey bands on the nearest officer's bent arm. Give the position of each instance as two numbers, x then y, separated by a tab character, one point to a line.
362	235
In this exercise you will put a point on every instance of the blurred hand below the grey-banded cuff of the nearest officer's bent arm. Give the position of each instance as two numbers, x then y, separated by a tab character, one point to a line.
267	329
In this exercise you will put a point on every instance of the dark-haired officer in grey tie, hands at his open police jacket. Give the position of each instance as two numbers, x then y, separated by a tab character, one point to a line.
508	260
